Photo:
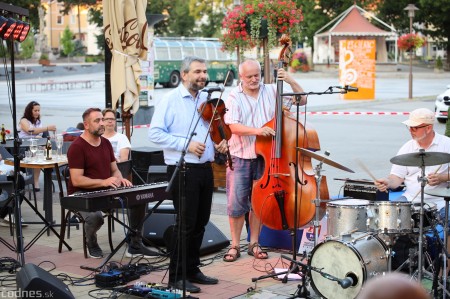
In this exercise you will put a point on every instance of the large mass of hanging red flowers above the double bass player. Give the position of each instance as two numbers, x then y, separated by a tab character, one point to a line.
247	24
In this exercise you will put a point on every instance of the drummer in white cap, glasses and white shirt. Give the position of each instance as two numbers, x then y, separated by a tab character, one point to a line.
421	127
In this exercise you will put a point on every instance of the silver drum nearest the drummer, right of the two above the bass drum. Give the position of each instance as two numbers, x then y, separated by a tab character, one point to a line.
390	217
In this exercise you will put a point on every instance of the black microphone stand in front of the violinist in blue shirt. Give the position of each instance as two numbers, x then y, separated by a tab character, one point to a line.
182	198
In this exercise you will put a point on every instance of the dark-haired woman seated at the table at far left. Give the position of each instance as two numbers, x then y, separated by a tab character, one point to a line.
30	126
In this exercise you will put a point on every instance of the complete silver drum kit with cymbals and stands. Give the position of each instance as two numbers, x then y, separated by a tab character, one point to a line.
361	234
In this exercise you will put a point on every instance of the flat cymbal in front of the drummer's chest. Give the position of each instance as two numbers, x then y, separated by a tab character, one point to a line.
421	159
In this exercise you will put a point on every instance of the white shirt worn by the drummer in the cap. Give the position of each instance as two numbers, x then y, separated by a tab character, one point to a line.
410	174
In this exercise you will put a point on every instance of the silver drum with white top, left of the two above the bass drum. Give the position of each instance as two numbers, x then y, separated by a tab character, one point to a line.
346	215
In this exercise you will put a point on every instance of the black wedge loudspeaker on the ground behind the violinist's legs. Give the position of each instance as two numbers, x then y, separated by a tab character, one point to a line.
158	227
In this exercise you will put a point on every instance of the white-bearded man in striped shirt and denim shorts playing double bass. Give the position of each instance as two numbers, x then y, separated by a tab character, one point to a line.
250	105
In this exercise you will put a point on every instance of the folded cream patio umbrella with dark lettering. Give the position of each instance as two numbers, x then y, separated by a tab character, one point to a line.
125	27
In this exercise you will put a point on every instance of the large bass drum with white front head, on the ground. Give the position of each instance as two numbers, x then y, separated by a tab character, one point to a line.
361	258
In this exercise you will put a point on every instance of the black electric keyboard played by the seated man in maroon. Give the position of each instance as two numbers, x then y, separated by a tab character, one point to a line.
123	197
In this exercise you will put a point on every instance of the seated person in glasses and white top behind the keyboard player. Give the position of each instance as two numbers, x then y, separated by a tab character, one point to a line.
120	143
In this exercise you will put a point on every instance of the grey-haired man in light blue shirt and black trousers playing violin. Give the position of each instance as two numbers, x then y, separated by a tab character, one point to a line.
176	119
